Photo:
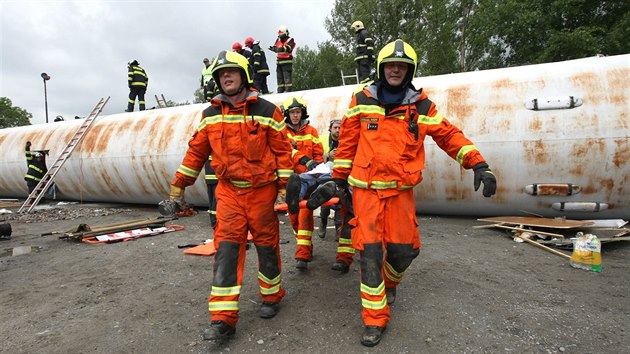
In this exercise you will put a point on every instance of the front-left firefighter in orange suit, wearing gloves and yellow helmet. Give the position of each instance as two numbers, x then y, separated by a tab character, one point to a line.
251	156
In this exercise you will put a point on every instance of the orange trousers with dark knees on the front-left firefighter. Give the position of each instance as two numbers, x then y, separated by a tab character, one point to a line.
240	210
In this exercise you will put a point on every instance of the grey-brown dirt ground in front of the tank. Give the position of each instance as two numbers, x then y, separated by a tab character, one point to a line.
470	290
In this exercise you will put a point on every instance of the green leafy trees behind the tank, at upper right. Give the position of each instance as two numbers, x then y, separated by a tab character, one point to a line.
466	35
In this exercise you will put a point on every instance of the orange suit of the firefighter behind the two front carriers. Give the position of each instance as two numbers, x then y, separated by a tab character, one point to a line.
306	143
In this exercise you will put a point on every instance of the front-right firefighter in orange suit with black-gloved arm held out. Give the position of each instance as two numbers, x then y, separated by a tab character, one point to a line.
381	155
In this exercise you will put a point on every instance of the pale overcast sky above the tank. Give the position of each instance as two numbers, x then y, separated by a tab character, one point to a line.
85	45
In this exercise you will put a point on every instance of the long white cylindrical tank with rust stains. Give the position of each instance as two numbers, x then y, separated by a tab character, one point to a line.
552	133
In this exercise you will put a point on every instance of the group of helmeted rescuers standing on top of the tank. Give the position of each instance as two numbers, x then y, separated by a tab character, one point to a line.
138	80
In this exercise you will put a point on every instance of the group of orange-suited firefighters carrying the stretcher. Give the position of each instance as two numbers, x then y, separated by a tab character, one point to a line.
257	147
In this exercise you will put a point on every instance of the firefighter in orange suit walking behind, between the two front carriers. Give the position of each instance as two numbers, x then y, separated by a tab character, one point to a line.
308	152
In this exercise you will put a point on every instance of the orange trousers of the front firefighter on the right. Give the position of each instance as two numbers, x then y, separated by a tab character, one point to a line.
386	235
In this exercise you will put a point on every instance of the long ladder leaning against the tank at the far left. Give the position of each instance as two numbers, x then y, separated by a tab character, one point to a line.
36	195
